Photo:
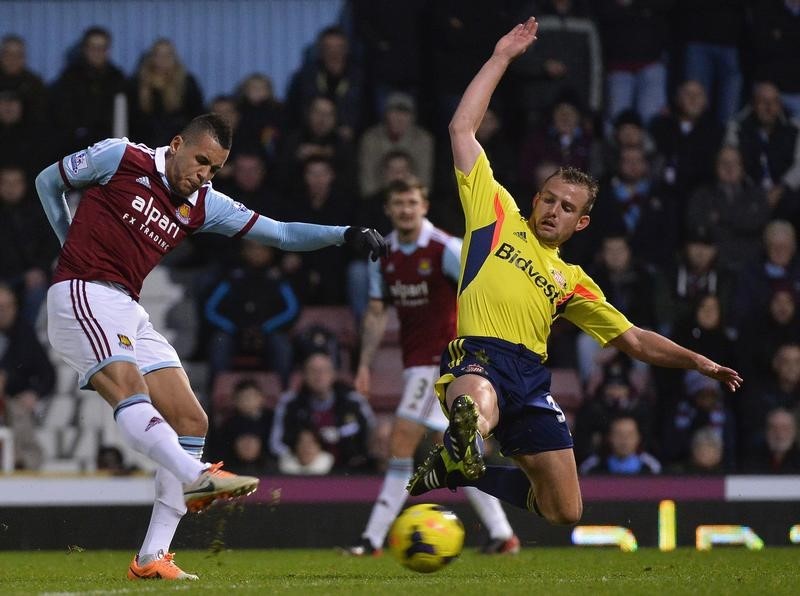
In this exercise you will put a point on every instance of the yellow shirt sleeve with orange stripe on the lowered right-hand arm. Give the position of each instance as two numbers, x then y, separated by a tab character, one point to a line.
587	308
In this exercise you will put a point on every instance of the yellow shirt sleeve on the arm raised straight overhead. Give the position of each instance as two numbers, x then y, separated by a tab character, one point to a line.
483	199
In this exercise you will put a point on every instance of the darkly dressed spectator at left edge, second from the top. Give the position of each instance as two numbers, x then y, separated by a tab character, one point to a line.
20	140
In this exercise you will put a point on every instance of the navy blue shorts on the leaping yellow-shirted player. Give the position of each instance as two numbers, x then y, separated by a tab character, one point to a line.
530	419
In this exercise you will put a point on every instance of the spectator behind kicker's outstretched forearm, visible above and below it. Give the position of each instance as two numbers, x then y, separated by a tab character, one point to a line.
317	276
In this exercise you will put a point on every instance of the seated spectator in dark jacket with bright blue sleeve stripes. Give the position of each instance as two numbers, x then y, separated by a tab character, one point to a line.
251	310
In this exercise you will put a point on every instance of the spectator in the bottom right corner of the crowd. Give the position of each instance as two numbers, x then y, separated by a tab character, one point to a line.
779	452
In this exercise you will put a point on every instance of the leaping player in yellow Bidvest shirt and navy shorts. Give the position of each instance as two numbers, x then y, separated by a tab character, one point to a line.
513	285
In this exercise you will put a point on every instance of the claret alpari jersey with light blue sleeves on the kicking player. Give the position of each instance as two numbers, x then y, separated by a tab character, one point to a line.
129	218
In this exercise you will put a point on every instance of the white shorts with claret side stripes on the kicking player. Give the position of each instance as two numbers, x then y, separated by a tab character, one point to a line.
91	324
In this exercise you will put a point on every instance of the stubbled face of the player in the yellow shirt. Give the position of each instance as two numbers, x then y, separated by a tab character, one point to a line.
558	211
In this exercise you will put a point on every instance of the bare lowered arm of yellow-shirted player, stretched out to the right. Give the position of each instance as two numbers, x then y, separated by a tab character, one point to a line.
656	349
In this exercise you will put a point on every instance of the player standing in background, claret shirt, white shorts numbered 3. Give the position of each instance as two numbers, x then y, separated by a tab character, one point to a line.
419	278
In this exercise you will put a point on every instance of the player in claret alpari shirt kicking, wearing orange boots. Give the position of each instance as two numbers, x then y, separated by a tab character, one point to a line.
138	204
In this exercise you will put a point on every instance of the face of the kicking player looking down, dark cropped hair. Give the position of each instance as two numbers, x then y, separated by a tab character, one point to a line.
192	162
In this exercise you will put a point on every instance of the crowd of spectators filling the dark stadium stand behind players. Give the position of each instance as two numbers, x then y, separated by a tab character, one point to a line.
685	111
